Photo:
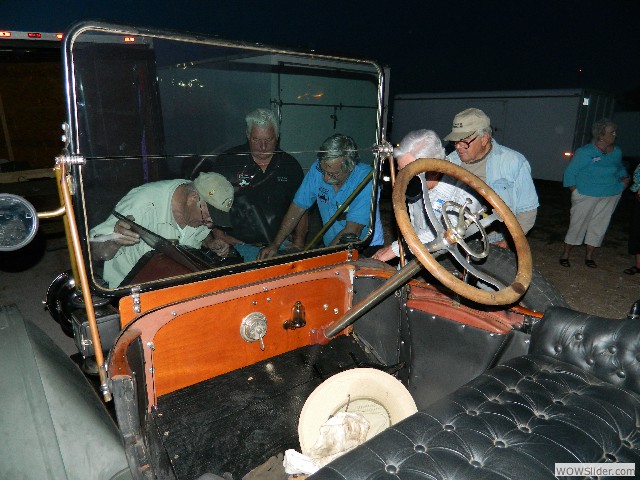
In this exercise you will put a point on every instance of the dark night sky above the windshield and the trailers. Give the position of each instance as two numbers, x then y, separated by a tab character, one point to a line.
430	46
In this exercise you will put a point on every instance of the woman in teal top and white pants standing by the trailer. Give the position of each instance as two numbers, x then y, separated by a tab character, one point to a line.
596	178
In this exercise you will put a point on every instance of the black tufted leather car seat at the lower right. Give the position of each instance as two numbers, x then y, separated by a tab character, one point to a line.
573	398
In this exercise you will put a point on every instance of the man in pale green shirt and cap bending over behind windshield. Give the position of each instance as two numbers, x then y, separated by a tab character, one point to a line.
174	209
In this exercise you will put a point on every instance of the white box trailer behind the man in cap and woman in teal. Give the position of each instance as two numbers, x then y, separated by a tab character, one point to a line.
546	126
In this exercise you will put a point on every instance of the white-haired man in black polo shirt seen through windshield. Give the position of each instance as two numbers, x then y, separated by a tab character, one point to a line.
265	179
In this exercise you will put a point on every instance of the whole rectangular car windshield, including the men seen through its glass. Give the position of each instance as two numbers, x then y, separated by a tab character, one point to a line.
197	149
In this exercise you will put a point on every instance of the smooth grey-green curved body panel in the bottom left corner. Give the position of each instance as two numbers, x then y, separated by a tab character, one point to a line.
47	407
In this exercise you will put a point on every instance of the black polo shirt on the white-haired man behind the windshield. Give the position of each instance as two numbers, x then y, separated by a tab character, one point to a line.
261	198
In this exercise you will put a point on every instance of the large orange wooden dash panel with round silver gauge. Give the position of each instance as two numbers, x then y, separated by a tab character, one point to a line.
199	338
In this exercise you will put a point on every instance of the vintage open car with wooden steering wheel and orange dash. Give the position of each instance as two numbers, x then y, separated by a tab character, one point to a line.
212	367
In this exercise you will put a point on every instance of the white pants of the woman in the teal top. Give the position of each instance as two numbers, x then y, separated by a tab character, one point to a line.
590	218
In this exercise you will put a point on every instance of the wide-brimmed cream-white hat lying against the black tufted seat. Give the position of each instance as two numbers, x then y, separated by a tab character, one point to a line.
376	395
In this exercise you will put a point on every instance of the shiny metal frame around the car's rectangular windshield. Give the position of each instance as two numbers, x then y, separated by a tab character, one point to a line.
75	147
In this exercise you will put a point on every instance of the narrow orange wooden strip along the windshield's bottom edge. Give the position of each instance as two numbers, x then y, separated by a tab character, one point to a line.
157	298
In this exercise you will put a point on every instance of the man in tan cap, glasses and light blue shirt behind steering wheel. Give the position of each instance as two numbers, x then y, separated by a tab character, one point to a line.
503	169
